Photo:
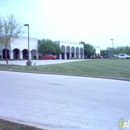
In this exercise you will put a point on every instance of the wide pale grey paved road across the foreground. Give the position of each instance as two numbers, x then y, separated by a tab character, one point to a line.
64	102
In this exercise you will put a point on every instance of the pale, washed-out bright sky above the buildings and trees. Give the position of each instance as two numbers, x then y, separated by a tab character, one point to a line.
92	21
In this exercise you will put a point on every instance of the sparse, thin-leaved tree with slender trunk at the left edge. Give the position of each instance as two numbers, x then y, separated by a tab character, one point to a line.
9	32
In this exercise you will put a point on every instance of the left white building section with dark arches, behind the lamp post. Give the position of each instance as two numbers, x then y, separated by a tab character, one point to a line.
19	49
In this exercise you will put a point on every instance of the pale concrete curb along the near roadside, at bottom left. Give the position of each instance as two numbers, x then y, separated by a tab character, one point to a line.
26	124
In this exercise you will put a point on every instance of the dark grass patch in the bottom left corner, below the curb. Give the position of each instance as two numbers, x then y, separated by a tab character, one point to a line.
7	125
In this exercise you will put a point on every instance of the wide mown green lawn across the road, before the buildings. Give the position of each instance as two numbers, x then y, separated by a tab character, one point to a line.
108	68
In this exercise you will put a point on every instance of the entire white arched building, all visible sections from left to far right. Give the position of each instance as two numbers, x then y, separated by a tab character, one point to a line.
19	49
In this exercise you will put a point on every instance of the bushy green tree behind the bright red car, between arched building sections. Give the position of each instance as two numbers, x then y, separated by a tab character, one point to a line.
48	47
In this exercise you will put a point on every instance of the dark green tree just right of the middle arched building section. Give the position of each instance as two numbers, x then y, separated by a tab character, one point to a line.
89	50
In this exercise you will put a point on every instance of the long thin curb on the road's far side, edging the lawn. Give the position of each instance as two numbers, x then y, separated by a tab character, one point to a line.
89	76
